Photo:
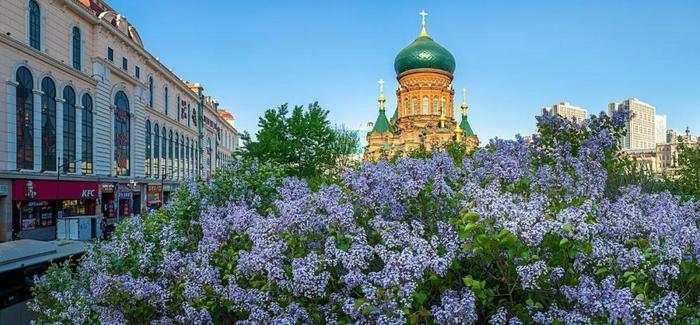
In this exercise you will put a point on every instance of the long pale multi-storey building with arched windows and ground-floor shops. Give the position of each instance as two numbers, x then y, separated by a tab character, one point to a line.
92	123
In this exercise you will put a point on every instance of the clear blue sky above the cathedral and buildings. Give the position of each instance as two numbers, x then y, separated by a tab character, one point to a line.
513	56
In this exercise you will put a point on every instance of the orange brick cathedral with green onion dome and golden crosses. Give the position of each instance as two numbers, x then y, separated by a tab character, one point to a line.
424	116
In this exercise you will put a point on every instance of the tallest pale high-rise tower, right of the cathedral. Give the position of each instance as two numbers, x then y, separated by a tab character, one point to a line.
641	129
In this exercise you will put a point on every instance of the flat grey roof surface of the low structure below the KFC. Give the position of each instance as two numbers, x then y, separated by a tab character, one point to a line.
26	252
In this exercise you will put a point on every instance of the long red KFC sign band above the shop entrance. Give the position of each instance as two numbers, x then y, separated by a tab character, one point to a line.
51	190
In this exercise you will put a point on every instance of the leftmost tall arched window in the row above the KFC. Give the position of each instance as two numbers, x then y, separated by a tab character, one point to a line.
24	107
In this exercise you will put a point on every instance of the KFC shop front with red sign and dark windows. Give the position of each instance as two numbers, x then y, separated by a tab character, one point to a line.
37	204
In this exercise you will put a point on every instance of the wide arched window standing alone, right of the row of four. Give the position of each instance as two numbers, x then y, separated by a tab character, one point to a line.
122	134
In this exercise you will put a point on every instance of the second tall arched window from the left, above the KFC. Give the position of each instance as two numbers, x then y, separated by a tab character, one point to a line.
48	129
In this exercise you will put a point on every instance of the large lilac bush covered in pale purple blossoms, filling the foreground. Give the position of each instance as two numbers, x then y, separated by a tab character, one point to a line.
521	231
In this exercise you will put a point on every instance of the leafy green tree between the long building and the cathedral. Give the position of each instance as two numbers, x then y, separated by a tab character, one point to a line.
302	141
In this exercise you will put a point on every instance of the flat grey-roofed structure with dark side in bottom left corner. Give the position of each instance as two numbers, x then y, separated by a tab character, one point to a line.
20	261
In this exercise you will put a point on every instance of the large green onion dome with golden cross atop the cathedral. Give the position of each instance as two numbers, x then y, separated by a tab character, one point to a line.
424	53
